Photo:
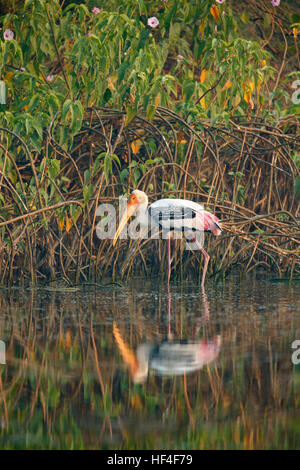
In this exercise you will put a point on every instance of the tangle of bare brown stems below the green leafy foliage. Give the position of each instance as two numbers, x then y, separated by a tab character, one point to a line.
245	172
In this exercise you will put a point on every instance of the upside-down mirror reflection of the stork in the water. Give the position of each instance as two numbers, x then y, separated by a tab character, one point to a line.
170	357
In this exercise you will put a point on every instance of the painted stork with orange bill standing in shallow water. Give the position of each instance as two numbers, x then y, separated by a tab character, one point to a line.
172	215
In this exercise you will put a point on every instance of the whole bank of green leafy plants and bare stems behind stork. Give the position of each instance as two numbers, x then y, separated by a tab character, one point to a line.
101	103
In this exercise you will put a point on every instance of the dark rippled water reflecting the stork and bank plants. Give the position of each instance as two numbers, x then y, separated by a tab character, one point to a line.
141	368
